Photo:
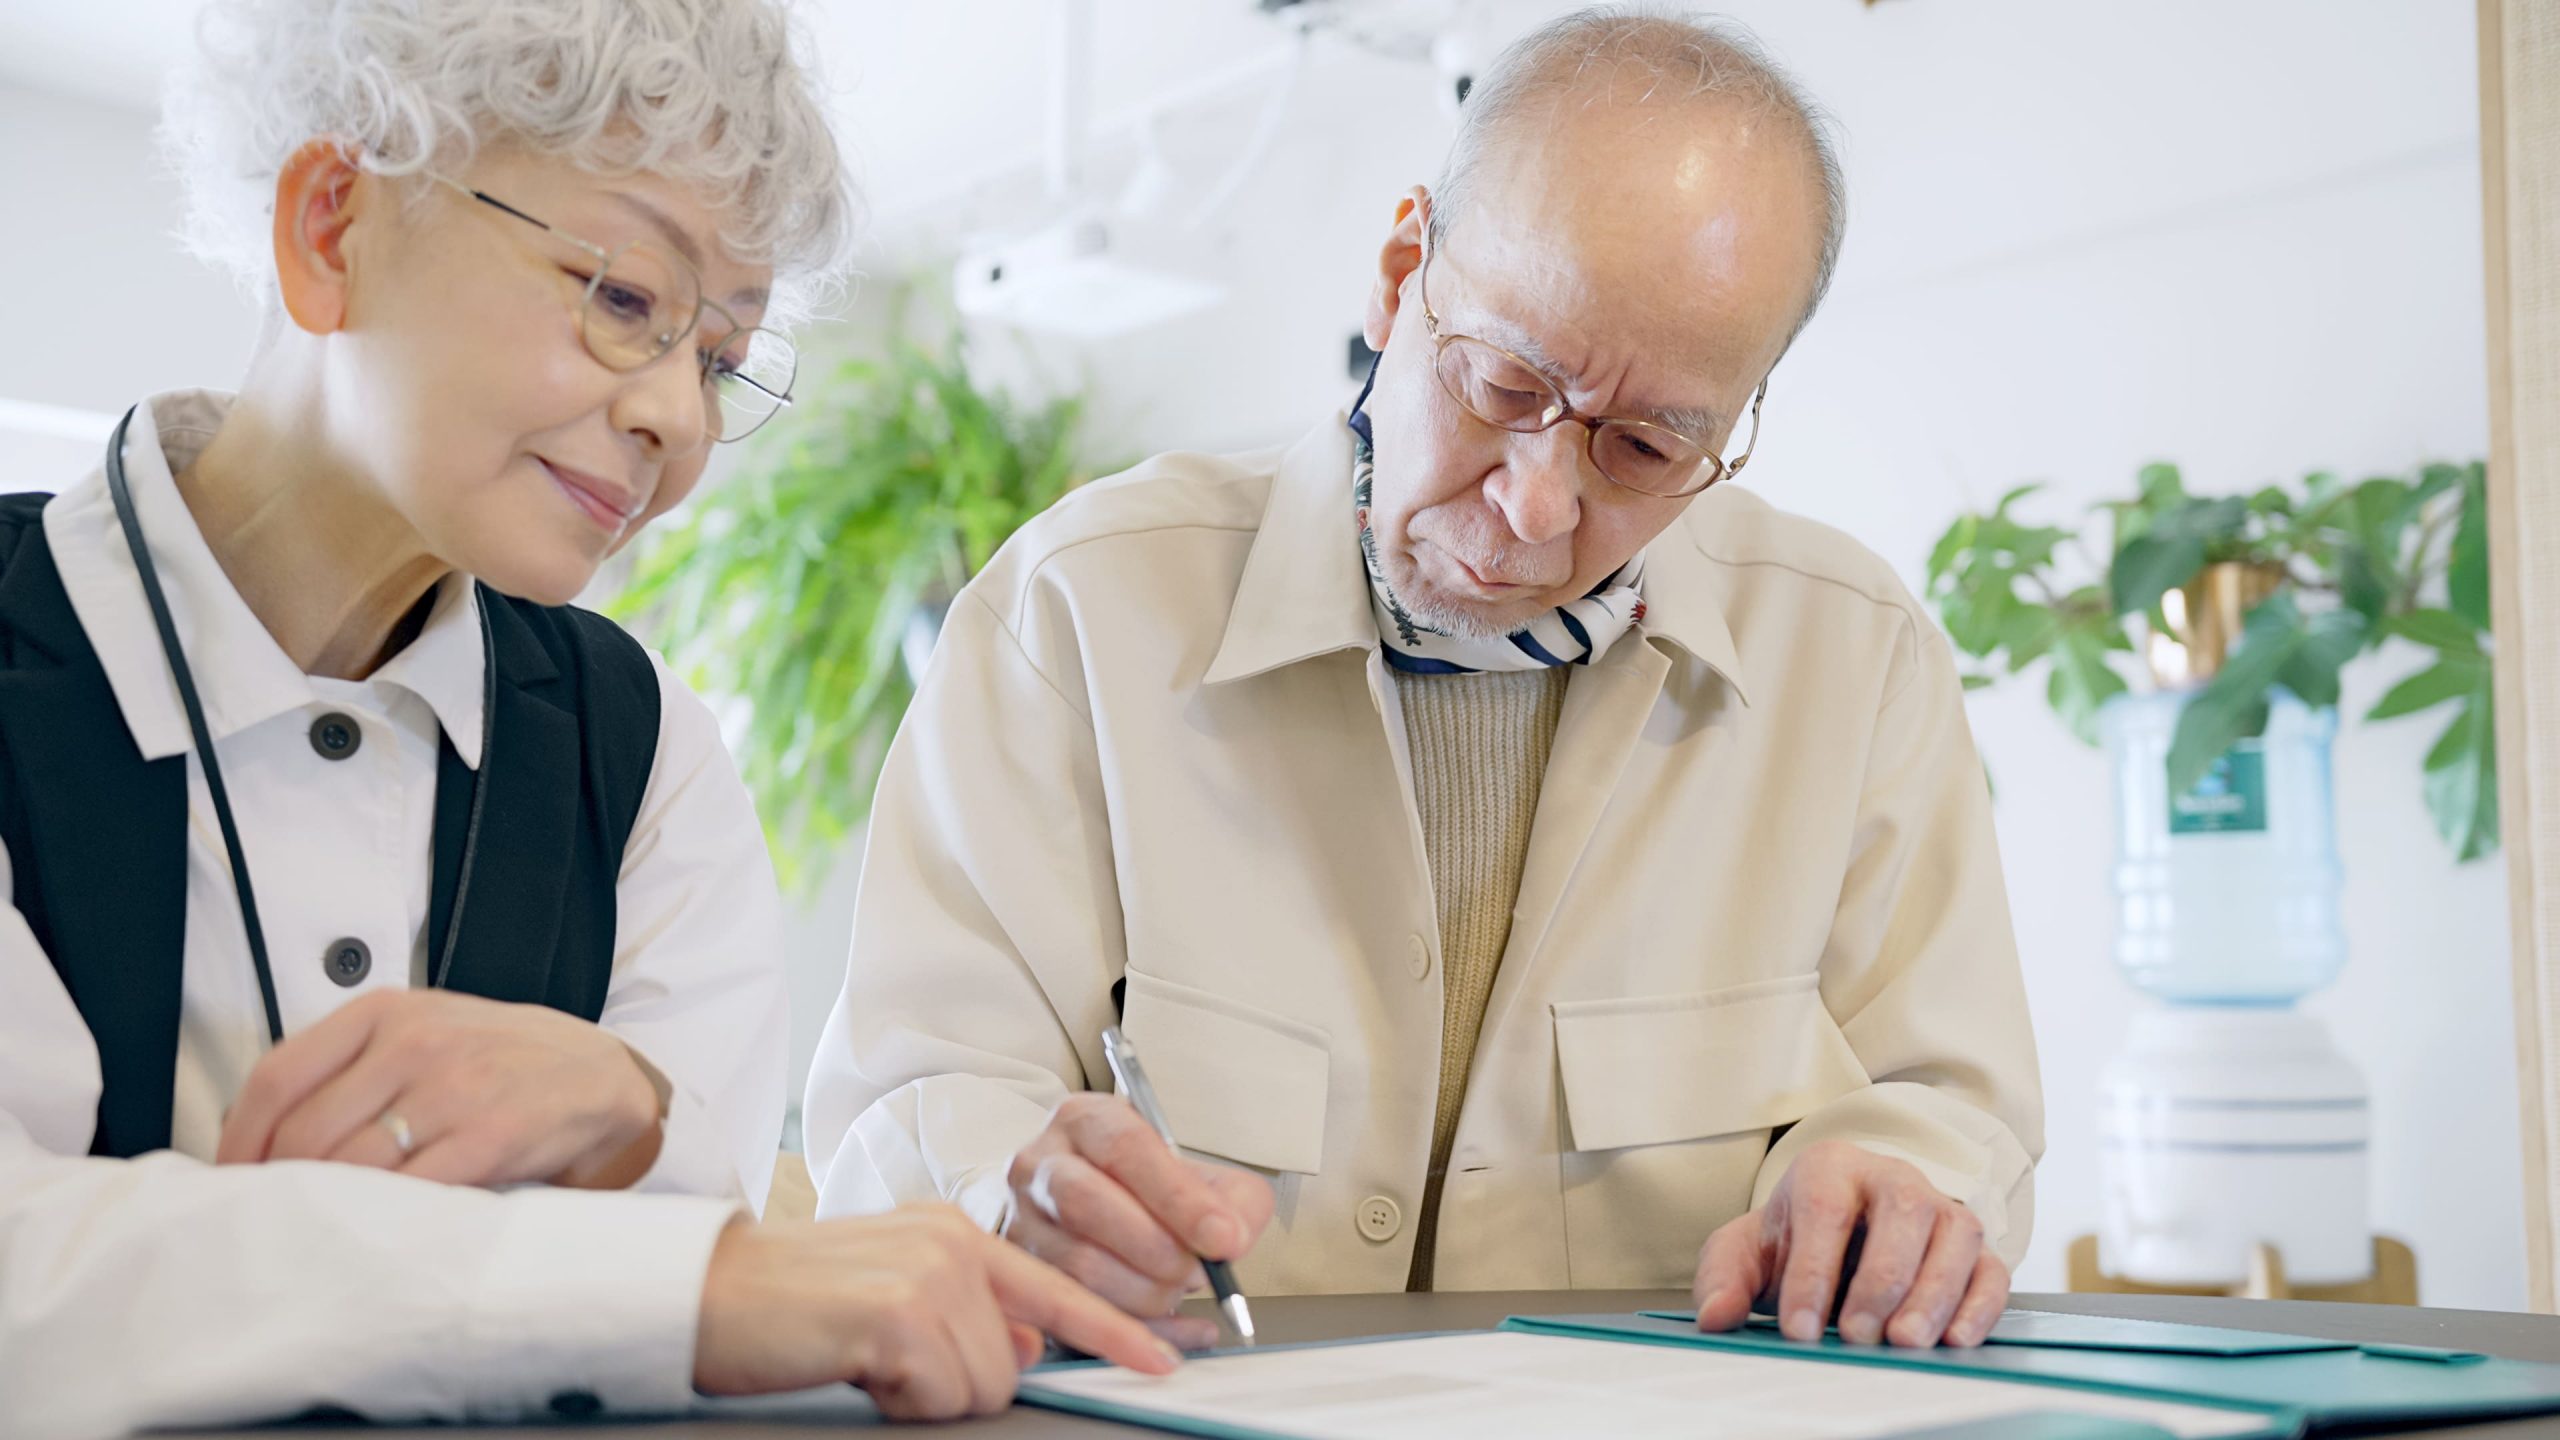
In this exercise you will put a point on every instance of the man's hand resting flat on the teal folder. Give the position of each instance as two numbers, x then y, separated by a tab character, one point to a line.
1914	1259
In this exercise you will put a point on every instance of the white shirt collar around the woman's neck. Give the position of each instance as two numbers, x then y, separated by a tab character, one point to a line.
239	670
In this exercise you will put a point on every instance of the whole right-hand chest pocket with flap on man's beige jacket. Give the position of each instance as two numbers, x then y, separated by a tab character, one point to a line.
1668	1113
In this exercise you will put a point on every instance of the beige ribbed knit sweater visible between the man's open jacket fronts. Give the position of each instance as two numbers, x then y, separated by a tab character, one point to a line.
1481	747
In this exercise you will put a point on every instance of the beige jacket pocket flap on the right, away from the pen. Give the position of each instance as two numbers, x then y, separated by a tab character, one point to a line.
1683	1067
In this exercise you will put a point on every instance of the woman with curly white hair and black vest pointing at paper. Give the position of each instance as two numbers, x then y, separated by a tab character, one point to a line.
390	1006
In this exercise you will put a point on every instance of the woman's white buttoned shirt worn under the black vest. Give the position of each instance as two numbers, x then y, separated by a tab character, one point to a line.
173	1293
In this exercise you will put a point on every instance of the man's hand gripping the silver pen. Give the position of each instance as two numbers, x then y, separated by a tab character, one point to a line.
1102	1198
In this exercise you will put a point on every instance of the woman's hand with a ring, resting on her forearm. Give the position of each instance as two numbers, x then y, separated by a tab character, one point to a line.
483	1093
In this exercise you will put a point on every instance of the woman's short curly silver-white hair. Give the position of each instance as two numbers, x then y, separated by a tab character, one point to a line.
718	96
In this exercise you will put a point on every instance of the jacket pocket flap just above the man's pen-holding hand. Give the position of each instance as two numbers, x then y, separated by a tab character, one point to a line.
1235	1080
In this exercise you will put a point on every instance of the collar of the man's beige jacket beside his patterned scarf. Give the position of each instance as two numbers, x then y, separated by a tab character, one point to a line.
1304	591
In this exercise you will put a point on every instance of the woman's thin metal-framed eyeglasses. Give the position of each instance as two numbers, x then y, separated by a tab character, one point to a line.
644	301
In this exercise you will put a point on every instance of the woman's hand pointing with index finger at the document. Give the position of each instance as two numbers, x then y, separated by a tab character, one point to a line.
920	1308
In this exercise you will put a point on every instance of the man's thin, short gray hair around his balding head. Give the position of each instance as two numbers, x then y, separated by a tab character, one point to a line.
1678	58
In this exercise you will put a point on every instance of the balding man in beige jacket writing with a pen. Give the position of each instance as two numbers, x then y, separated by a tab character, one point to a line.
1517	860
